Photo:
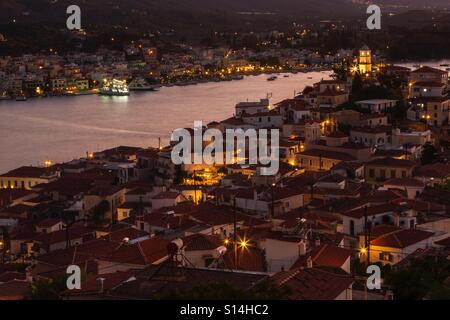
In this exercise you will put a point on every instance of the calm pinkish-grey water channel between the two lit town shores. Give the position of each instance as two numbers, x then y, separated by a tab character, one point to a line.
63	128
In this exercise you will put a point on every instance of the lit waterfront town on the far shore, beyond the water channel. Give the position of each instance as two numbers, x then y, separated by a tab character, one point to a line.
144	66
